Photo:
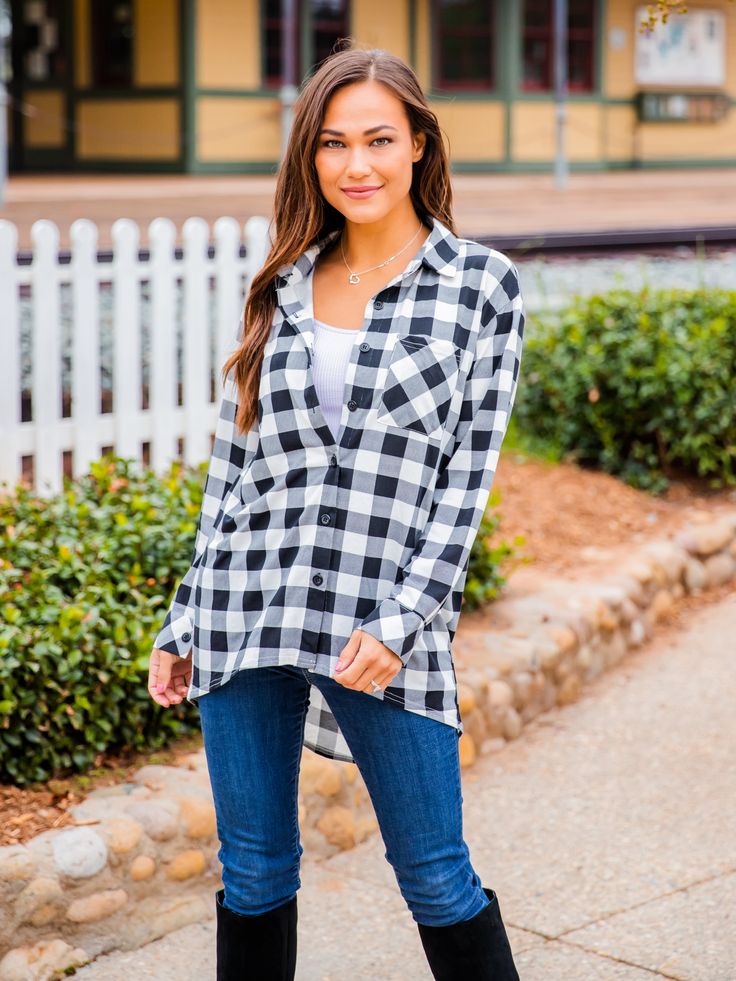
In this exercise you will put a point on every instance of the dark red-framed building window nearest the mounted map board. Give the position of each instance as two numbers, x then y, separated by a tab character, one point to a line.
538	46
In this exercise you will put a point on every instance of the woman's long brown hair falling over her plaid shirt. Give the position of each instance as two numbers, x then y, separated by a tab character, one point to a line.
302	216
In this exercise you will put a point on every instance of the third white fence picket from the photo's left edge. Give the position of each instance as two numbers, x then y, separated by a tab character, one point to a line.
86	387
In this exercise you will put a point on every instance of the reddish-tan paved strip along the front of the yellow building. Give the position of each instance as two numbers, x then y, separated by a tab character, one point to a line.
485	204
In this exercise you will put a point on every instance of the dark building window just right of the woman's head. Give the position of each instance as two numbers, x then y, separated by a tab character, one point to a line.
464	39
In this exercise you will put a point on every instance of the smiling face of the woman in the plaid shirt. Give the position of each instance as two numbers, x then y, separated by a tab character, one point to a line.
366	142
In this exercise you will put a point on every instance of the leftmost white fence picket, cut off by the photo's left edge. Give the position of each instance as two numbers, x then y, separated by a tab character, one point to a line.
10	361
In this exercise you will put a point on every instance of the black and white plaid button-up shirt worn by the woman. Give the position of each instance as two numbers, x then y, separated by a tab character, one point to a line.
302	538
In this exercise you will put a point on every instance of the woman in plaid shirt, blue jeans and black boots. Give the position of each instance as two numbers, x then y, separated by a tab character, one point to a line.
359	431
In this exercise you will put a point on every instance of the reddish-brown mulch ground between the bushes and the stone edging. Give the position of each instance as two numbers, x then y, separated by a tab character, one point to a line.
560	510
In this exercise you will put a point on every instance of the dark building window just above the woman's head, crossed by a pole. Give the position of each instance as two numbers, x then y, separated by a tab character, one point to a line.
318	26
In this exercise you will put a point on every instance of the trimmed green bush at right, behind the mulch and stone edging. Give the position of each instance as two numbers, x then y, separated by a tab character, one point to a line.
641	385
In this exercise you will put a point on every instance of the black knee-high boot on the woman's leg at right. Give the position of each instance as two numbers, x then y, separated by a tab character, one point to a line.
473	950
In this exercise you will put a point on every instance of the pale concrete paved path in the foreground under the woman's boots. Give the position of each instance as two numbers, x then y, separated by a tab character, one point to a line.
606	829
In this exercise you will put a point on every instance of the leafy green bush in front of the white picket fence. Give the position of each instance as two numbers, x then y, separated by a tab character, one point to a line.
85	578
